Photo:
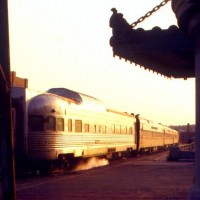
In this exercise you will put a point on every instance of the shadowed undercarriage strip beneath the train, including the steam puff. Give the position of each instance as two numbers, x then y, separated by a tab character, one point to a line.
67	162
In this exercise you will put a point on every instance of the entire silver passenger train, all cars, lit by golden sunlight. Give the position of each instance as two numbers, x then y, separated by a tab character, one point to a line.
63	124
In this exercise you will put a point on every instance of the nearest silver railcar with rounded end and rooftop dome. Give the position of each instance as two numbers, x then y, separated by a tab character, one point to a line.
60	127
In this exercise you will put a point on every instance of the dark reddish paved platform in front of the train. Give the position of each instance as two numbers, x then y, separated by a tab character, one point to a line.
148	178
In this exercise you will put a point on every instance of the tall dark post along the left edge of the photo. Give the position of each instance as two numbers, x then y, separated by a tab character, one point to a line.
6	130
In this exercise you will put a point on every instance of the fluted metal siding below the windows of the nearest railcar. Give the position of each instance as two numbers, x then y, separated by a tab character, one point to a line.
70	142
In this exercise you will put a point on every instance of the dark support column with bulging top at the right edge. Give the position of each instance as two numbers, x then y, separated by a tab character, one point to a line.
188	16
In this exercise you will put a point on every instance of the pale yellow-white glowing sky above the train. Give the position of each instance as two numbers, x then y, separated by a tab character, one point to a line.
62	43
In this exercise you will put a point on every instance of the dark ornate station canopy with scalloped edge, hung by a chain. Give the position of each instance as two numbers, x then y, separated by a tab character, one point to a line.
169	52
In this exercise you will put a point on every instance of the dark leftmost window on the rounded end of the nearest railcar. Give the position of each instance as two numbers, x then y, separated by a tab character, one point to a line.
35	123
